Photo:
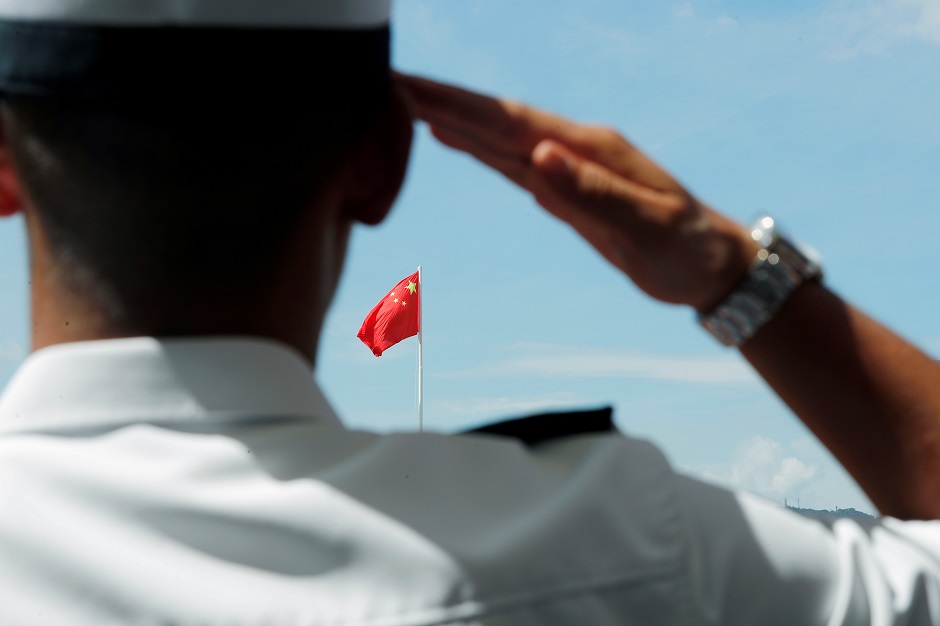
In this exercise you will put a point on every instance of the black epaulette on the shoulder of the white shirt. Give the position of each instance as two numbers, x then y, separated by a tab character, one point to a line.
544	427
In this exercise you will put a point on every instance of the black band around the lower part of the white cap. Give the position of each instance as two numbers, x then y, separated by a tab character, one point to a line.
196	64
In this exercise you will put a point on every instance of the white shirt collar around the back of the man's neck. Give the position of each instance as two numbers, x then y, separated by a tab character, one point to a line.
109	383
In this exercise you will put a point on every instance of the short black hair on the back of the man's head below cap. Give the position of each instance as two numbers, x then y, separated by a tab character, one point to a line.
145	207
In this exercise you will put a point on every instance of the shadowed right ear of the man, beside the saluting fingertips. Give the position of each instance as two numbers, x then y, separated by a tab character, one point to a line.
377	165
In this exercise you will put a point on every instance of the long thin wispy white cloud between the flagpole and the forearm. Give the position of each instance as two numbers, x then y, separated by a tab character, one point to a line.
565	361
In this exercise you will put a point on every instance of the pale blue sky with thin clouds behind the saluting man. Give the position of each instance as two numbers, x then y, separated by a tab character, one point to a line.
820	113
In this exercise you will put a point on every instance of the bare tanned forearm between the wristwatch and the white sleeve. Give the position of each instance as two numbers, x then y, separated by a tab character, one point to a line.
871	397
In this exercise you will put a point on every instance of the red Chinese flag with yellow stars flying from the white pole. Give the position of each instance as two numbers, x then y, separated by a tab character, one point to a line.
394	318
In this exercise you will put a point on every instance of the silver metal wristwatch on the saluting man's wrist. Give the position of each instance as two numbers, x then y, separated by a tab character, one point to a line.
779	268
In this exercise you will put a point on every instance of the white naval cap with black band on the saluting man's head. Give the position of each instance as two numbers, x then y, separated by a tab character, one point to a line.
179	50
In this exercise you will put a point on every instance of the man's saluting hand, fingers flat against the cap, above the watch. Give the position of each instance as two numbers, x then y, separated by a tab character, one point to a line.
632	211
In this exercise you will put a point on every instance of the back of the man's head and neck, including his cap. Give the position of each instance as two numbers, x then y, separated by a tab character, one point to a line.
206	189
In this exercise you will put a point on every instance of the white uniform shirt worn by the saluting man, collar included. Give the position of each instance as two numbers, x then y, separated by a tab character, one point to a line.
208	482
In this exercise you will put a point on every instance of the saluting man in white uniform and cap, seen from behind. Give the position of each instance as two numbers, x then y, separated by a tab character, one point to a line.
190	171
